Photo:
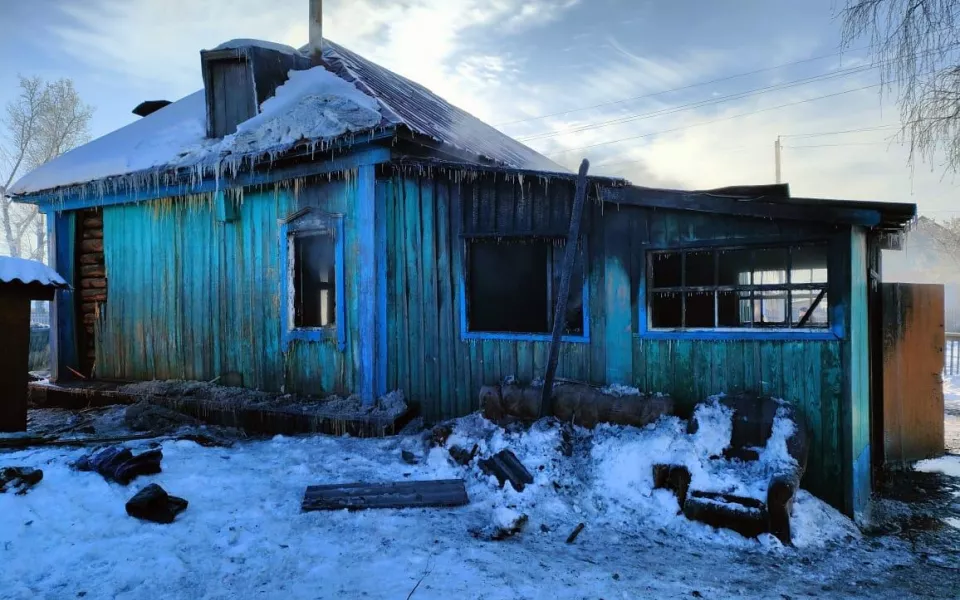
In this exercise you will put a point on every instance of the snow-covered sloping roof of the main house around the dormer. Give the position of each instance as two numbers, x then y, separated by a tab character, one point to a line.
350	95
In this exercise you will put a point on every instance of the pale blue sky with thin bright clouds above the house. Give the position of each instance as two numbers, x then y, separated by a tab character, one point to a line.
673	93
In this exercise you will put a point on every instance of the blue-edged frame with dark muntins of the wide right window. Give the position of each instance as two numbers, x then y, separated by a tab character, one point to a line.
832	331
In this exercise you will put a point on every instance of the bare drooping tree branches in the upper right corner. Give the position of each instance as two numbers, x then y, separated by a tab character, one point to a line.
916	45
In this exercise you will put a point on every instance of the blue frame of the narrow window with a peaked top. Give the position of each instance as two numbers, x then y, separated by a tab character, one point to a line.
311	221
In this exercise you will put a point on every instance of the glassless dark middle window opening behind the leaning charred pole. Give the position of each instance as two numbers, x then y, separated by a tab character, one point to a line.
512	286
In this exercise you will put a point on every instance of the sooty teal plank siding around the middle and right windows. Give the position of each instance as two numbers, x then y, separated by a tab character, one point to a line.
443	373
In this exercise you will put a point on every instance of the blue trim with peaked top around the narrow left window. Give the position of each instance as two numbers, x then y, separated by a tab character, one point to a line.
336	332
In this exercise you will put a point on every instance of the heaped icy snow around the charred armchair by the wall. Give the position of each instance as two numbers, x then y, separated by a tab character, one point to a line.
609	480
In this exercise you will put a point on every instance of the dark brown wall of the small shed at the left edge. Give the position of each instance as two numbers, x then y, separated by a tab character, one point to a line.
15	323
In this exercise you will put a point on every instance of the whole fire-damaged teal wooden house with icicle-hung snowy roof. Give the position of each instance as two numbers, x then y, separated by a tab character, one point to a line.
342	229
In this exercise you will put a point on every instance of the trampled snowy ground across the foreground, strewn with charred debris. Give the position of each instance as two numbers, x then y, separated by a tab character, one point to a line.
243	535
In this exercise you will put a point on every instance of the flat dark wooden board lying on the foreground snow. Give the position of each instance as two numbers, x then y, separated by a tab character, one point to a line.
399	494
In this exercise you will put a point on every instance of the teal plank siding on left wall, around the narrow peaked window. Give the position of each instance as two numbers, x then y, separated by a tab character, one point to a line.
192	297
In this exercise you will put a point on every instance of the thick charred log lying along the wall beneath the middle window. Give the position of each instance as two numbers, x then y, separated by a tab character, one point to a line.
573	402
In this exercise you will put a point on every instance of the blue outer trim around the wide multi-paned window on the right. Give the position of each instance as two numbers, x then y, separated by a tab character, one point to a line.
832	333
